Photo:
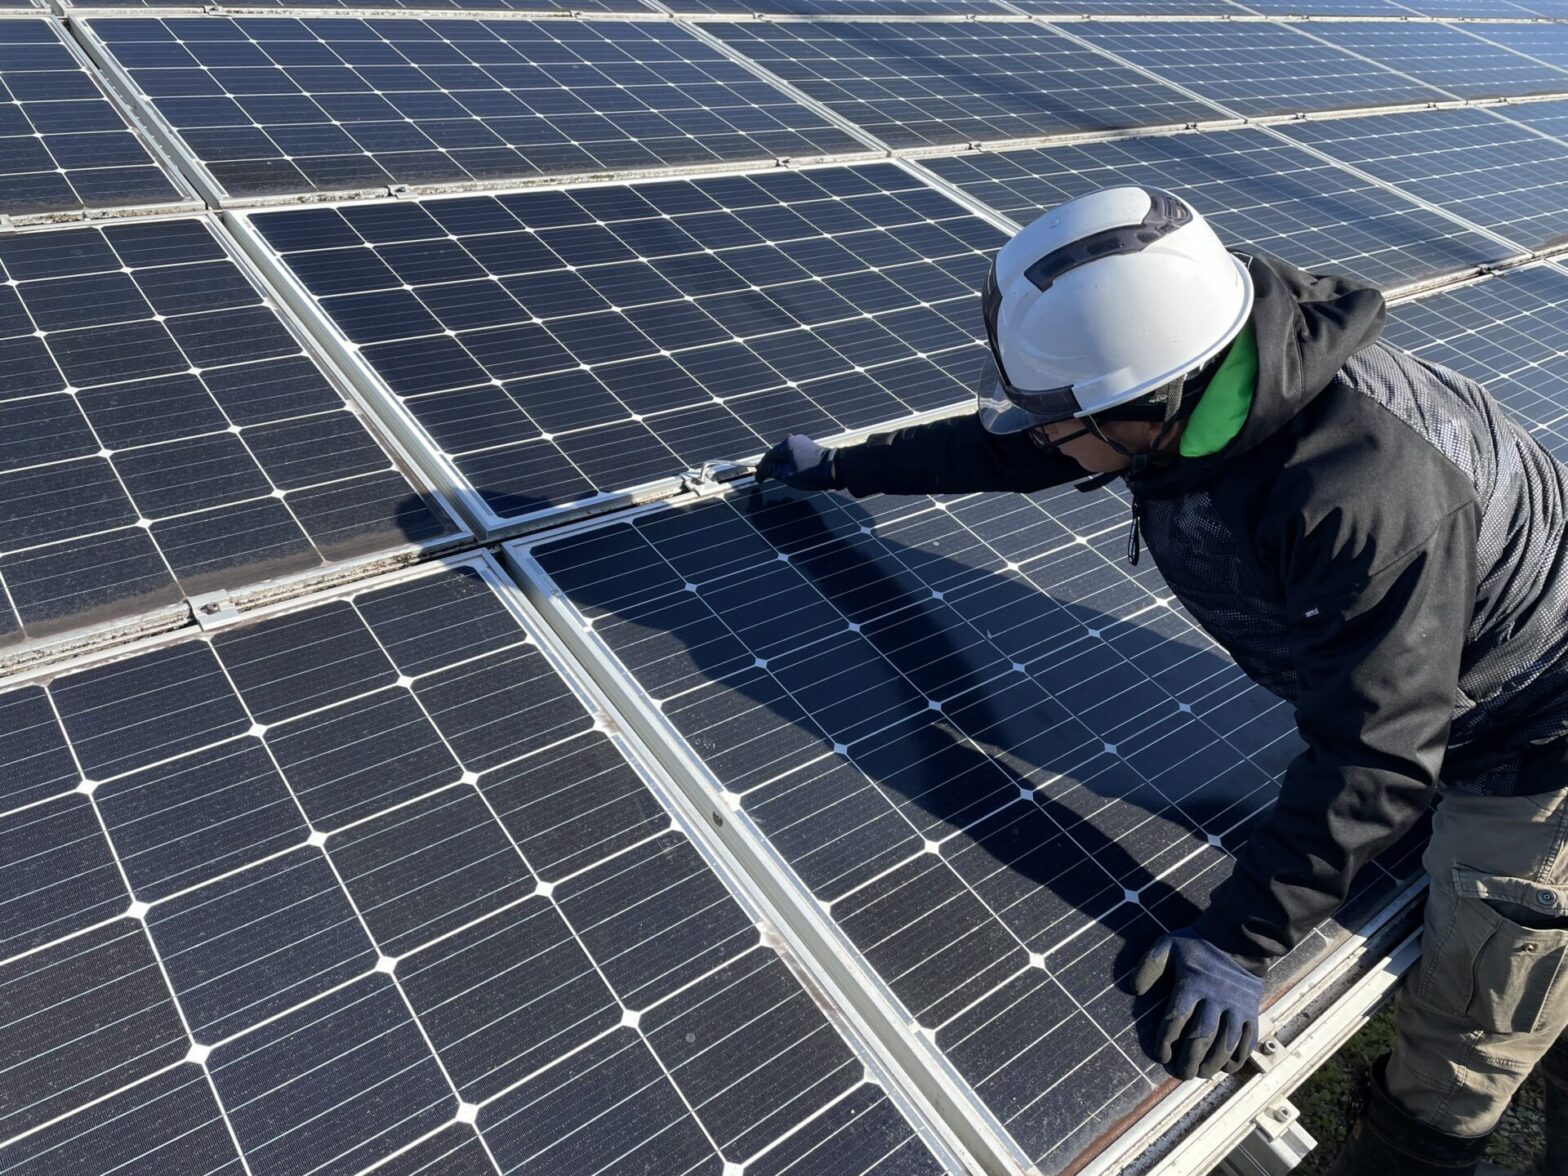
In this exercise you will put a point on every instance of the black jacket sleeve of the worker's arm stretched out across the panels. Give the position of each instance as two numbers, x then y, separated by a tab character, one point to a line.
954	456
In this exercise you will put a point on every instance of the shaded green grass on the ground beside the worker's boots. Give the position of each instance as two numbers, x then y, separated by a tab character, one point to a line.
1329	1103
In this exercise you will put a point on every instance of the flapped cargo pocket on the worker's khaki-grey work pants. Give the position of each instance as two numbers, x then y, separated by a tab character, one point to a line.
1501	960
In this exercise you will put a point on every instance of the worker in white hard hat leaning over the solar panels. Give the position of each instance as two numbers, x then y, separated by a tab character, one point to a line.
1373	540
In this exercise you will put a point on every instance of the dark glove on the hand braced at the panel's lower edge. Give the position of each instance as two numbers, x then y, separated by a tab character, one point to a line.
1211	1017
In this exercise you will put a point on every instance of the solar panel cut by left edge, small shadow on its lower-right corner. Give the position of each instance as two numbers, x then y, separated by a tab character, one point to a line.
164	435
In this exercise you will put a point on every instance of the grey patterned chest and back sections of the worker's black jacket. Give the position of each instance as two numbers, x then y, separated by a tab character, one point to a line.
1514	680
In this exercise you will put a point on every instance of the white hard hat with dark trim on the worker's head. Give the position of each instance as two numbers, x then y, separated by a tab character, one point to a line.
1102	302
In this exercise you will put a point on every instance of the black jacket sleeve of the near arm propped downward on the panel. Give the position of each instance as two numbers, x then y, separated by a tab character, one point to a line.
1377	673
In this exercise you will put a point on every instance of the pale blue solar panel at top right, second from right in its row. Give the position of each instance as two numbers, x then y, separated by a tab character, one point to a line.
1446	57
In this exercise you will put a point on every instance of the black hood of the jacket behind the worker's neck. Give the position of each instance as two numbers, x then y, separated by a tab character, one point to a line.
1307	327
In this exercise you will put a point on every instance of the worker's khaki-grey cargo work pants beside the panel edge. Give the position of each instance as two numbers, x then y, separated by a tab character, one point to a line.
1490	993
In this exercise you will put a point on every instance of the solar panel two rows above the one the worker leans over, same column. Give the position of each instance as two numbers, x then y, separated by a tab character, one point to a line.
270	106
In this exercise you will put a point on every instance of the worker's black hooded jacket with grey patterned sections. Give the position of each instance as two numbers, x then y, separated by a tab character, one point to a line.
1379	545
